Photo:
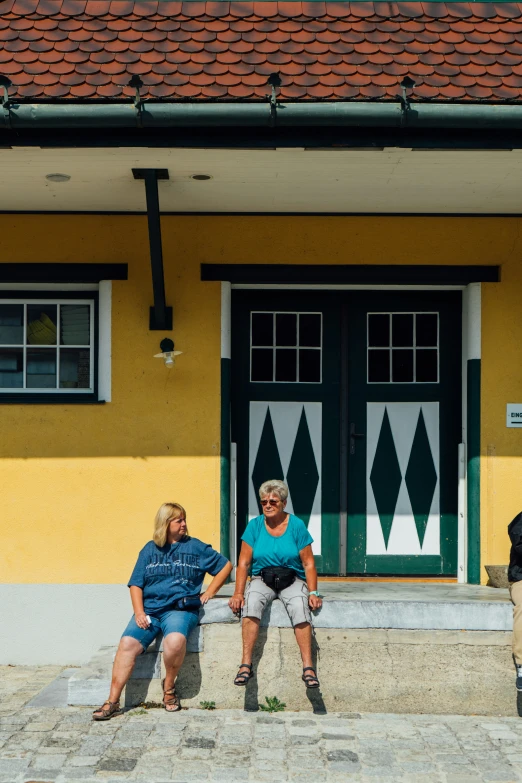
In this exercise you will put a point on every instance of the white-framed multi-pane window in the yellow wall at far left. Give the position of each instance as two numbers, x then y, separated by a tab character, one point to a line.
47	345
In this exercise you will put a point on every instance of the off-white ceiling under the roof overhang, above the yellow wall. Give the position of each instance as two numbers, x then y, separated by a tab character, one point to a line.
280	180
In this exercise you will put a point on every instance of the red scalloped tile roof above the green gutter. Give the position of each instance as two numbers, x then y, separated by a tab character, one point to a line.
89	49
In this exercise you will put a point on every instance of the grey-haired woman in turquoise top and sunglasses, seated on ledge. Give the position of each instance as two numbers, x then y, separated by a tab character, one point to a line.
278	547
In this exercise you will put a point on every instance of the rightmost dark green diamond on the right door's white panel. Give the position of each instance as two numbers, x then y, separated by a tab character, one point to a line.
421	477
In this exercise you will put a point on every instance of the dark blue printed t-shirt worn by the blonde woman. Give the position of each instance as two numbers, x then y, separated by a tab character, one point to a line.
170	572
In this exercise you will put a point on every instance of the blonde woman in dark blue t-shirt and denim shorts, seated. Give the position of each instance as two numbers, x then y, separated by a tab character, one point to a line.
165	591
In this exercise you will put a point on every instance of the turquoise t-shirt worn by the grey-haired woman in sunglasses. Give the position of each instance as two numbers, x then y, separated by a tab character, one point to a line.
277	550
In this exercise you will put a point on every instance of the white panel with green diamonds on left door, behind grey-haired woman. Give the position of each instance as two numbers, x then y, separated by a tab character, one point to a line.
285	443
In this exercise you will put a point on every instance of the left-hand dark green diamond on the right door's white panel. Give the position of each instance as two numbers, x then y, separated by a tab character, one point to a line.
385	477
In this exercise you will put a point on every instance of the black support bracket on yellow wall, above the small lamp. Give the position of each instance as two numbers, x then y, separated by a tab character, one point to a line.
160	314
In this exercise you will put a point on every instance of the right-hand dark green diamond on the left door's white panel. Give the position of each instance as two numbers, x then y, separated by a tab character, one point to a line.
303	476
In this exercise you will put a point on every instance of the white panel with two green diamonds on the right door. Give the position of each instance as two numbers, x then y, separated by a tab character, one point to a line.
403	488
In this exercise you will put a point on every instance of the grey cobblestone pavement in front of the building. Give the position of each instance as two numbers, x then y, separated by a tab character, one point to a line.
151	746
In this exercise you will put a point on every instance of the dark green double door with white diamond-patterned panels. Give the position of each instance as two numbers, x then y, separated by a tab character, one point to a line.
354	399
